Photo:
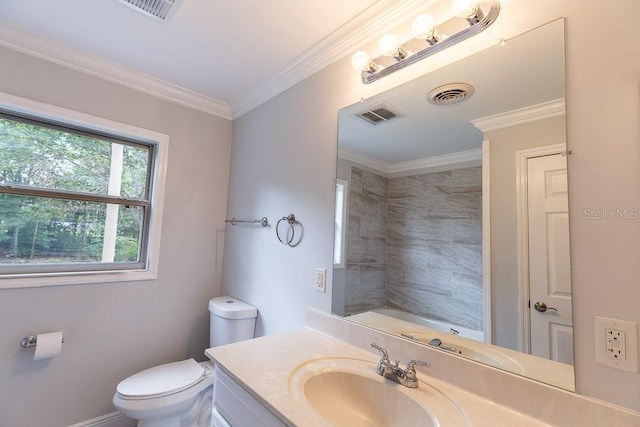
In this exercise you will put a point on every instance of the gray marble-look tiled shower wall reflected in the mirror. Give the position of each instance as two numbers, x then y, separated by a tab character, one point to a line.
415	243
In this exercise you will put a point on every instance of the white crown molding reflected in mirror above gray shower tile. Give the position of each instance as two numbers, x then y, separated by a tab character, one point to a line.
459	160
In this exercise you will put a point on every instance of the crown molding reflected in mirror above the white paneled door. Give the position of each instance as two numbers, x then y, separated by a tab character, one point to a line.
533	113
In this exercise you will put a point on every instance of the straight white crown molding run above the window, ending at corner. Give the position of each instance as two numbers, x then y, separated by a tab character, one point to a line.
106	70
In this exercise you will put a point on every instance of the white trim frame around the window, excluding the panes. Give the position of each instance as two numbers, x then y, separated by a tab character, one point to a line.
73	118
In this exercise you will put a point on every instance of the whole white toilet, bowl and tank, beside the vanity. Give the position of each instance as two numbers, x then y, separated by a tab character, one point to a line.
179	394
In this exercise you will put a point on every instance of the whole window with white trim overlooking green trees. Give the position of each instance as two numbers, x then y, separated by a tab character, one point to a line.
78	197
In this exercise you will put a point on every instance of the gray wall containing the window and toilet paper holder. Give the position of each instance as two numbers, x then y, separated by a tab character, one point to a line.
112	330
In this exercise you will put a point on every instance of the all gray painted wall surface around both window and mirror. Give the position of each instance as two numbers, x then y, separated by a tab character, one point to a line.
283	161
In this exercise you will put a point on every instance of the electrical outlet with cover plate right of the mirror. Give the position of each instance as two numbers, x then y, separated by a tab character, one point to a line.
616	343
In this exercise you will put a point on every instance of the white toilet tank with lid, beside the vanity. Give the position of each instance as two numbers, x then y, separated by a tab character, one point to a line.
232	320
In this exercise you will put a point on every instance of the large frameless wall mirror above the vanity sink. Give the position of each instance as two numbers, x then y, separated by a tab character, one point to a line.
452	213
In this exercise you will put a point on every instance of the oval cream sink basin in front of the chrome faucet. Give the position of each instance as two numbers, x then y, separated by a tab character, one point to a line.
348	392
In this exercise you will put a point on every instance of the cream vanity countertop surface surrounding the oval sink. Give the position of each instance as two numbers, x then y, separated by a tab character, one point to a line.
264	367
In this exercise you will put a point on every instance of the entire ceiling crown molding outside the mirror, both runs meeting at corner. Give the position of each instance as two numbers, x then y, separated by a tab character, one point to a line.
380	17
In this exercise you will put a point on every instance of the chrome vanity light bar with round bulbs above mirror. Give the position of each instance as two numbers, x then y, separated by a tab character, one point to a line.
469	18
